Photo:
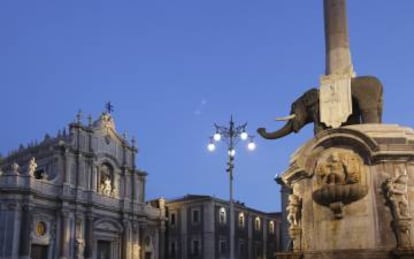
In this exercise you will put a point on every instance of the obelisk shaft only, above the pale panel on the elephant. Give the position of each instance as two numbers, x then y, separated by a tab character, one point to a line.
338	55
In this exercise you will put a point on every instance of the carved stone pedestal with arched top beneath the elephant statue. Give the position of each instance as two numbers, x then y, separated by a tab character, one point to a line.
352	194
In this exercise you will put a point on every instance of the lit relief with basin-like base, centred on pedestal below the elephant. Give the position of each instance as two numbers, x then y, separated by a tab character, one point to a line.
339	180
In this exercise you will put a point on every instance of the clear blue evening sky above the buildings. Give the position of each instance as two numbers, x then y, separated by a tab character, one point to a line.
174	68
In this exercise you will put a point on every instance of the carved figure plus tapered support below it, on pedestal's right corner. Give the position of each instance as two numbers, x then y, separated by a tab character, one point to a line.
395	191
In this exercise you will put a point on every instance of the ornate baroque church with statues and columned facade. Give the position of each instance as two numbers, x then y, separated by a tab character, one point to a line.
78	195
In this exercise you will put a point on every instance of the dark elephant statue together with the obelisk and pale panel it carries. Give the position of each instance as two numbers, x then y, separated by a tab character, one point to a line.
343	98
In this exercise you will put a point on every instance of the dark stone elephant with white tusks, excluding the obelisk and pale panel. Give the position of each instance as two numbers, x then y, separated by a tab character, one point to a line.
366	108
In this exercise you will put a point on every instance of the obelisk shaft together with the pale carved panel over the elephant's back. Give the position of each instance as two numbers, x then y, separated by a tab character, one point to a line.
335	86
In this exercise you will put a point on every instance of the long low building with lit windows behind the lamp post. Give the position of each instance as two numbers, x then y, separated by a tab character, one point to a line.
198	228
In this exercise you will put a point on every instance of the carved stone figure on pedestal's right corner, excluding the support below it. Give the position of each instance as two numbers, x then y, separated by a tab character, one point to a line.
396	193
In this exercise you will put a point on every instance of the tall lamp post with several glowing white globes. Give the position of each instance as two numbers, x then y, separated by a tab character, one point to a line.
231	136
